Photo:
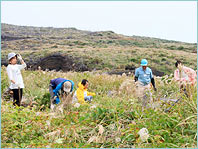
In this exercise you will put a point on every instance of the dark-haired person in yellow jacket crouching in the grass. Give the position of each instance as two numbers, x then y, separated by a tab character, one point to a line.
81	94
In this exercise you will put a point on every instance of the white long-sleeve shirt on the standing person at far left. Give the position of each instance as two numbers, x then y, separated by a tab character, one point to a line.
14	73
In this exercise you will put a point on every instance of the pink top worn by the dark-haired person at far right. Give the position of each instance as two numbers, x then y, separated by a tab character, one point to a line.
187	75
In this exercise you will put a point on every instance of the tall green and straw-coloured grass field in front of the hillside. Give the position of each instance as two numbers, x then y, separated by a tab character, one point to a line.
120	115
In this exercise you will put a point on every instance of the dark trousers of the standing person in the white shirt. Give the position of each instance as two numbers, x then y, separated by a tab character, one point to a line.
17	96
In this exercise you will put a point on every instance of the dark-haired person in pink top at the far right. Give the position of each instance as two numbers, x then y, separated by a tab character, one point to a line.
185	76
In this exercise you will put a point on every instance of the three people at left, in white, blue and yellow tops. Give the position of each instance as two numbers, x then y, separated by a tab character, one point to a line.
57	87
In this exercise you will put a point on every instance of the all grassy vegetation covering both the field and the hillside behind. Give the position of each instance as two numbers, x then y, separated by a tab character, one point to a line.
118	117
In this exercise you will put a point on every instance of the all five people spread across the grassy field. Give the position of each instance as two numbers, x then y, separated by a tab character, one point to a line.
59	86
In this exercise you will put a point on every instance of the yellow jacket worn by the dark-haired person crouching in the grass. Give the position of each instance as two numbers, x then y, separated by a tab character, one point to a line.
80	93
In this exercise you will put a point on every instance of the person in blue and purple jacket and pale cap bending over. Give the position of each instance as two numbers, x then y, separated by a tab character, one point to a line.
58	87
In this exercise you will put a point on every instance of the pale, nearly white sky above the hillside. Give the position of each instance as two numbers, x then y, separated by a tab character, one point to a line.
166	20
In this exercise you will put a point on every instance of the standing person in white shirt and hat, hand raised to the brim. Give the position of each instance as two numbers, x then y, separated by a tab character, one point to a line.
15	77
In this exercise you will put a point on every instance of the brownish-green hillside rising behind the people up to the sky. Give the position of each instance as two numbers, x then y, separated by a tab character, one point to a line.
85	50
